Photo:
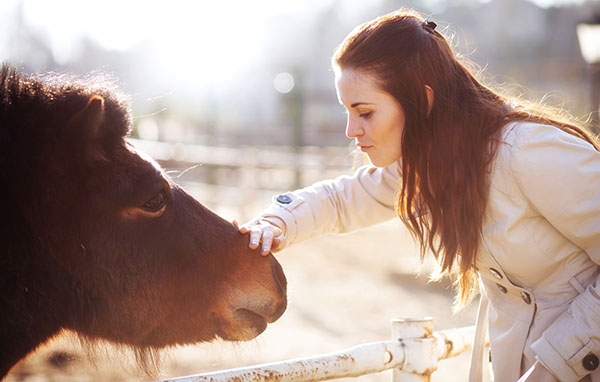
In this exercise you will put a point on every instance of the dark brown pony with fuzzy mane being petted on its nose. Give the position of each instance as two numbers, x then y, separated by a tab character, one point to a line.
96	239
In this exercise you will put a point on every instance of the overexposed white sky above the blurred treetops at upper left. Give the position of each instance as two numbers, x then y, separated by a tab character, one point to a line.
208	41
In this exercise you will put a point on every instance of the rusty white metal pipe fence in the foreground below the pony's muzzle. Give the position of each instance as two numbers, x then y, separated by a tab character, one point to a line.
413	354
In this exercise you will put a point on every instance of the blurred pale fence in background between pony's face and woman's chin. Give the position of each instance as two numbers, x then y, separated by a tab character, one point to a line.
238	177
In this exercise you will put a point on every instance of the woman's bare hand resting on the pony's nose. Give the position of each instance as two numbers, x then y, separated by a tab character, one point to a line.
264	232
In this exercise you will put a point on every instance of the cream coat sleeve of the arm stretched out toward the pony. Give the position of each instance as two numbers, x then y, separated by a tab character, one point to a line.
339	205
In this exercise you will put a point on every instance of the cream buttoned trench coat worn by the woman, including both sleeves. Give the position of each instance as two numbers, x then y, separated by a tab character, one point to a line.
539	256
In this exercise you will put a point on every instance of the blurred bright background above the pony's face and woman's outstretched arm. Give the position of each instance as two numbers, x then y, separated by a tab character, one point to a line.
241	87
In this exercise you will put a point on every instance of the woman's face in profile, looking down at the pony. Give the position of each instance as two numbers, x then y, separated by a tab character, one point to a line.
375	119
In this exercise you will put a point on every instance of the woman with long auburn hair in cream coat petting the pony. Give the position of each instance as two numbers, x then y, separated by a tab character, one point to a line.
506	196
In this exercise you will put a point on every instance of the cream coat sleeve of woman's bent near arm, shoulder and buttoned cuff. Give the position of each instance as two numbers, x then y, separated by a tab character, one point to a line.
560	175
